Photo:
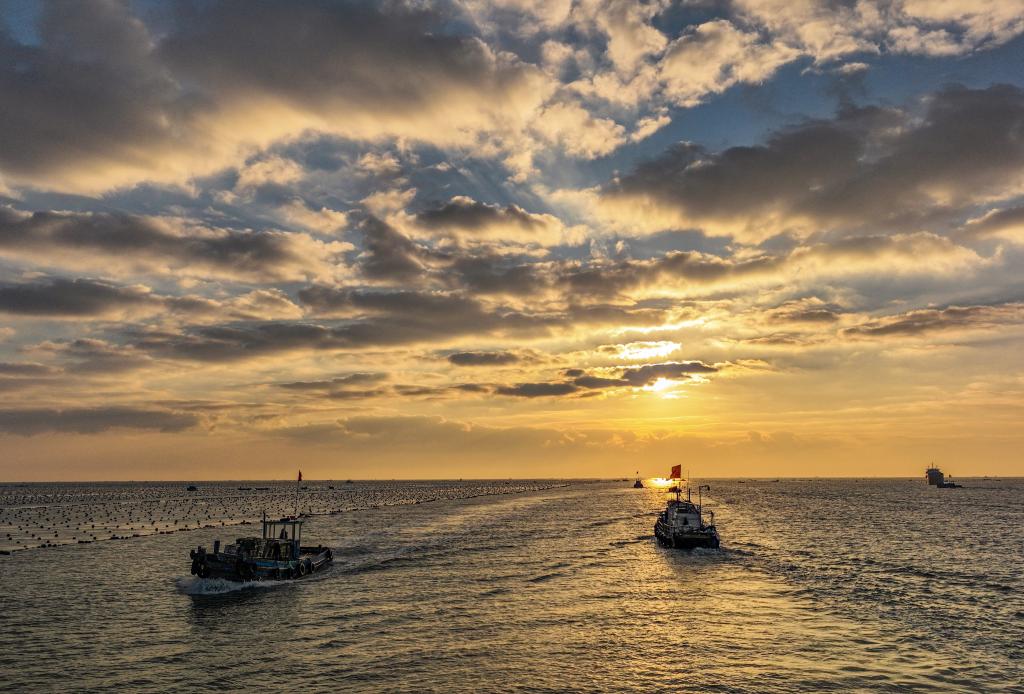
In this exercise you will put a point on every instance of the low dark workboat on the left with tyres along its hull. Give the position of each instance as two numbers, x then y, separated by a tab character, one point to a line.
278	555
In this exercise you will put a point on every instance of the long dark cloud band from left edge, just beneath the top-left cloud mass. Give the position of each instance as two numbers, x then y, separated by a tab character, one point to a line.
114	238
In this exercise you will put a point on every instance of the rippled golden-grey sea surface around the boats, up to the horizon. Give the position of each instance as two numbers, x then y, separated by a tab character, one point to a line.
821	585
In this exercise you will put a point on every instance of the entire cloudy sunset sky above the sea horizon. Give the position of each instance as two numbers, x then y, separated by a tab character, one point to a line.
511	239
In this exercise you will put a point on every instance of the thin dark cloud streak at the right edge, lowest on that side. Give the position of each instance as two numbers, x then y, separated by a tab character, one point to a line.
938	320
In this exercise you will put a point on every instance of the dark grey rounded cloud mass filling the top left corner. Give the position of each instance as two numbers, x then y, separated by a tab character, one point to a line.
90	91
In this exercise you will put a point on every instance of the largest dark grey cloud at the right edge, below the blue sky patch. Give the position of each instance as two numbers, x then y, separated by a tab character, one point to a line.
866	167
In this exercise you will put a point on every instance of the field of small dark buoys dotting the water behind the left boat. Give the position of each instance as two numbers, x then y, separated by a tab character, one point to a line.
42	515
